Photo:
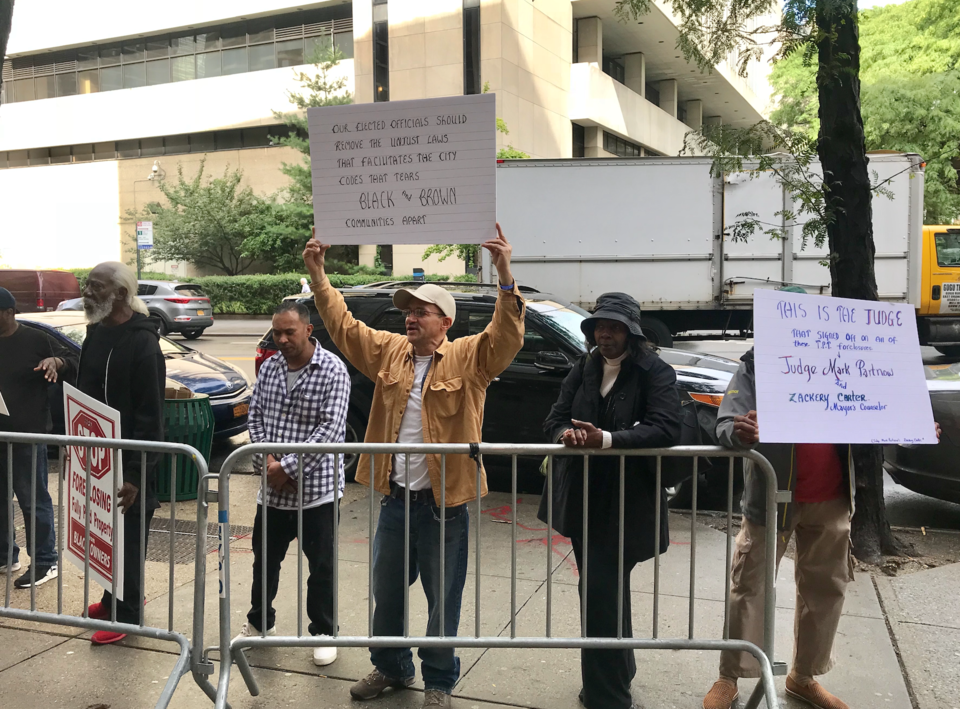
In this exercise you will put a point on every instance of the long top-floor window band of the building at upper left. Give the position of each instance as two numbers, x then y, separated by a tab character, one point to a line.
212	51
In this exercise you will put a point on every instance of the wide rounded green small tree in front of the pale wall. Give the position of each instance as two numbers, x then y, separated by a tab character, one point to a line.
207	222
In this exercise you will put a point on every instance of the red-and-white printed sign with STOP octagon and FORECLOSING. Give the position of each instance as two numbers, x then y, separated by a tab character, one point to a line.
86	416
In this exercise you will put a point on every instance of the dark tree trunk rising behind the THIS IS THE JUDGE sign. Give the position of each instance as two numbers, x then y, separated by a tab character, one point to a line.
843	157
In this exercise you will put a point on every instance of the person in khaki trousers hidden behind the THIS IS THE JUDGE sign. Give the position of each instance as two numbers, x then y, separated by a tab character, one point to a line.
825	370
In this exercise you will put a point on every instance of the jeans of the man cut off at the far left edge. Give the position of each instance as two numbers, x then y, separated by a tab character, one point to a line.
46	550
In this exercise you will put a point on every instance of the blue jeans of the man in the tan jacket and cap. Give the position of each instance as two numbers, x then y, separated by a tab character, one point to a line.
440	667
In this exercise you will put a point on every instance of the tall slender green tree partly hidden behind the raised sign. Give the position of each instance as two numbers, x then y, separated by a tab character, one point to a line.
282	241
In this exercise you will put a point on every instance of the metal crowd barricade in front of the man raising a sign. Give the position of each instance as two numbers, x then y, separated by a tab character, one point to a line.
232	650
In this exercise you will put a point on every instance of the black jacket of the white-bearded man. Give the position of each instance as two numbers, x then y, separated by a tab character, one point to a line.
134	385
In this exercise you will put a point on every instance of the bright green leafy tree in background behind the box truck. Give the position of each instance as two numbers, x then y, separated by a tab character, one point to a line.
910	74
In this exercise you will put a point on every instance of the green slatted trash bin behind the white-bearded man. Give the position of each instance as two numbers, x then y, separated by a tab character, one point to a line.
188	421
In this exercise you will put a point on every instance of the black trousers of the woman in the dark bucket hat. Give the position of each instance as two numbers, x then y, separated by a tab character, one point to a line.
606	674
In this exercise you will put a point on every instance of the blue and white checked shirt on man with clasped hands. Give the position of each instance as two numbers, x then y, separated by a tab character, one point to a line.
315	411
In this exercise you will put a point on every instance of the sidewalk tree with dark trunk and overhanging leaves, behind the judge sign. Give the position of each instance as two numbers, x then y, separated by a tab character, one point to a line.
827	32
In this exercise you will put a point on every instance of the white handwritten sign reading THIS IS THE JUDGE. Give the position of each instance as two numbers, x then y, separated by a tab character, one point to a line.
834	370
